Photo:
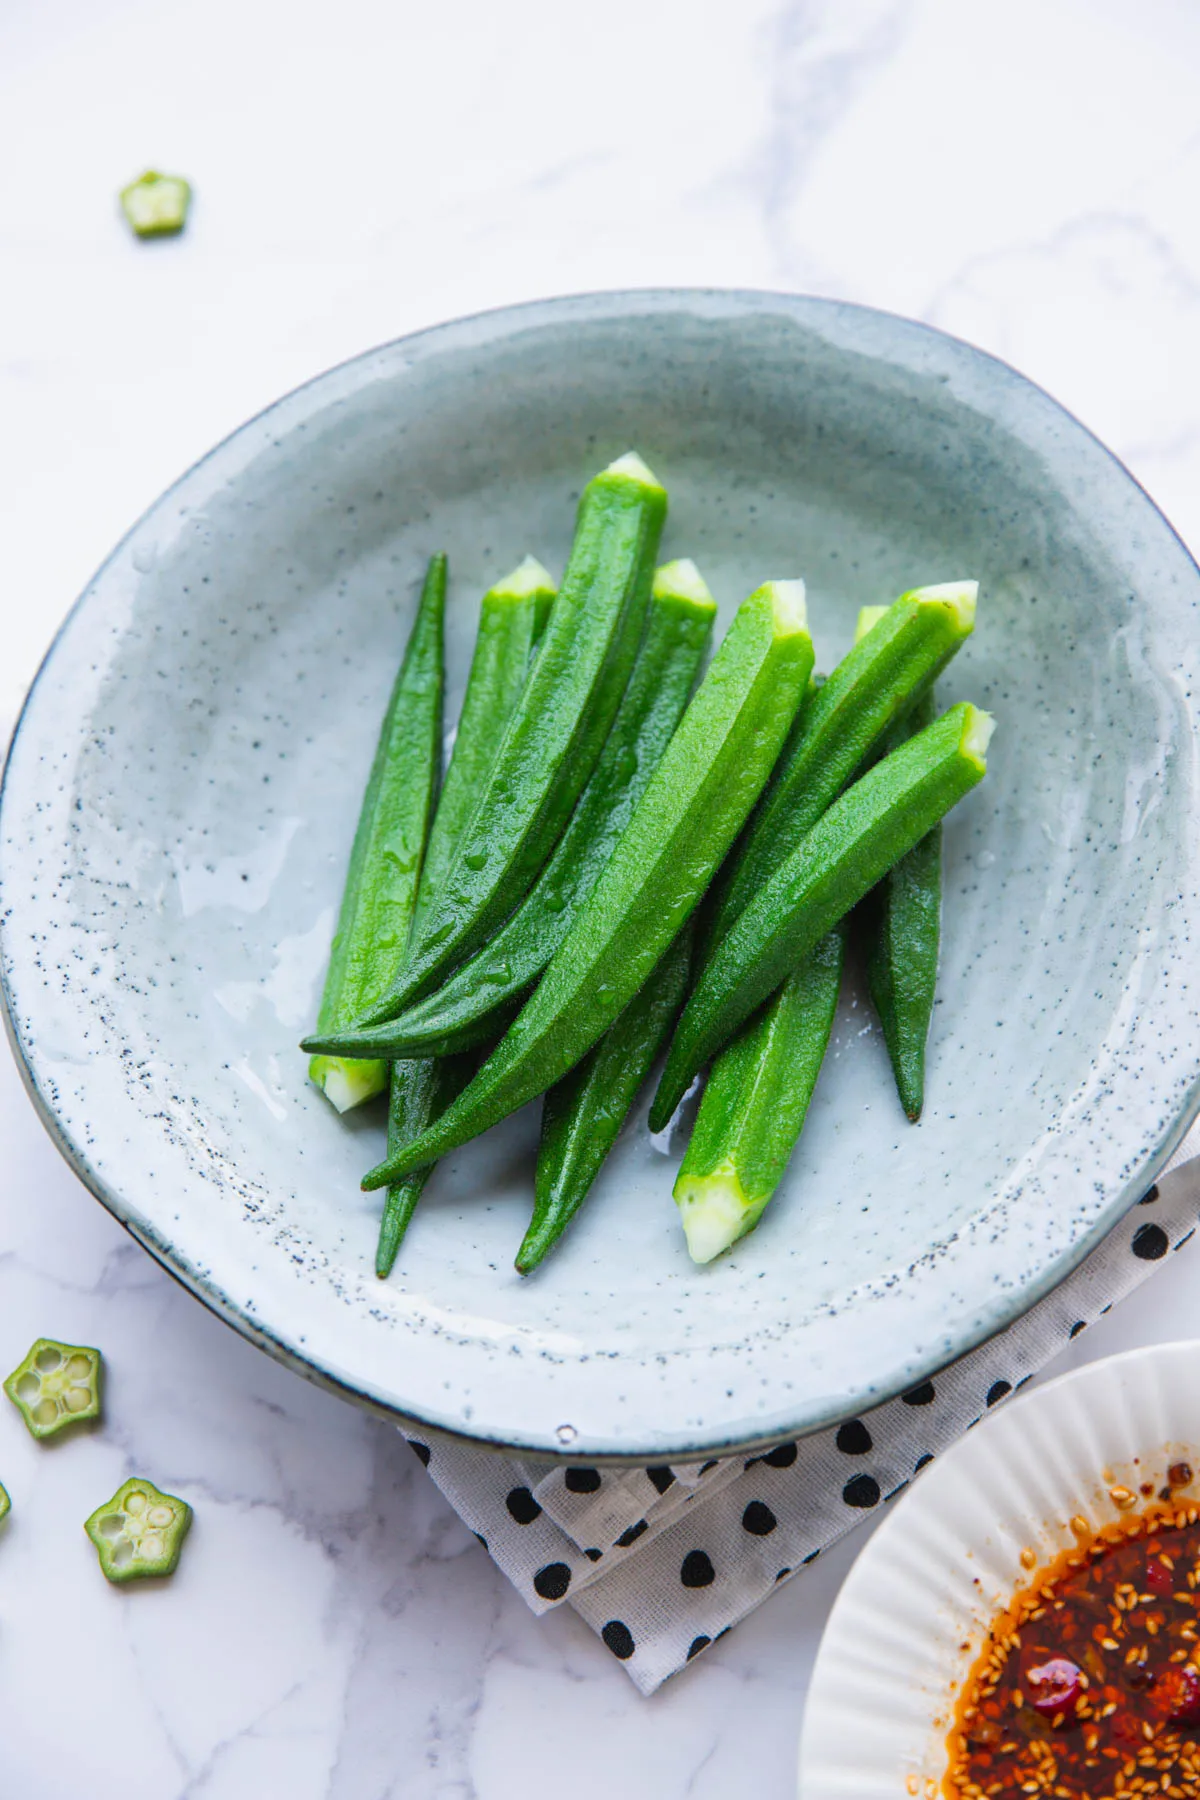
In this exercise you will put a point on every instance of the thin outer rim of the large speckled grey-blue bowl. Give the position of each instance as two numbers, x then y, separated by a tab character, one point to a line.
309	399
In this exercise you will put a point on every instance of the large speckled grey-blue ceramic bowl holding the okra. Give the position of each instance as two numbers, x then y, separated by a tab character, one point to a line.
183	793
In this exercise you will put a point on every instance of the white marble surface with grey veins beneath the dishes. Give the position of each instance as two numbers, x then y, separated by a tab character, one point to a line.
1021	174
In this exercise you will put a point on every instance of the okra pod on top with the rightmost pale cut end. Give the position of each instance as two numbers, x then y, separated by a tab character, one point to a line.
875	823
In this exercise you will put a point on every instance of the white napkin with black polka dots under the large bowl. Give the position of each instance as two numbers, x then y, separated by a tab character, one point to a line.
665	1561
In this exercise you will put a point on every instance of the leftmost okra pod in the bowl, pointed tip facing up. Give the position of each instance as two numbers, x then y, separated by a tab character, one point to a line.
386	863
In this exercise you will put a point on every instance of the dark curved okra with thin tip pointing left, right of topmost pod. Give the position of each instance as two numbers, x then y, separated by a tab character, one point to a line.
479	998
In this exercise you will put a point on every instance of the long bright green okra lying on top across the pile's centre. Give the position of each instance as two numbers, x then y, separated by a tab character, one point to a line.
690	814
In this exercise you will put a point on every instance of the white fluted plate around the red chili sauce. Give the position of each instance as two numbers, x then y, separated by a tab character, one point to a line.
917	1606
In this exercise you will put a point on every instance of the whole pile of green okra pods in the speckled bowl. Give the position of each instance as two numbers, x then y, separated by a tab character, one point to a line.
623	859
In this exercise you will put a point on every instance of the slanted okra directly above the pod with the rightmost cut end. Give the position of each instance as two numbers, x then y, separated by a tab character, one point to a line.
877	683
